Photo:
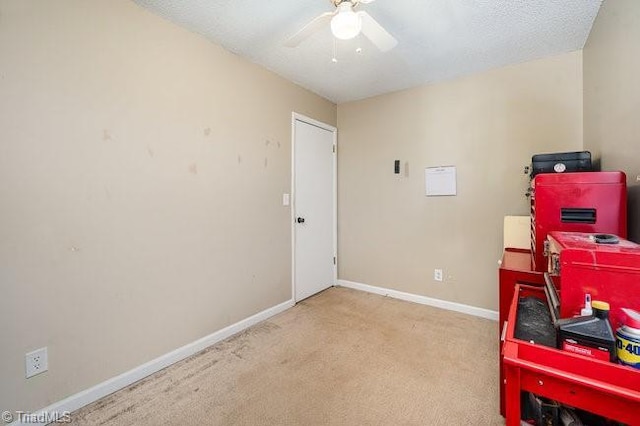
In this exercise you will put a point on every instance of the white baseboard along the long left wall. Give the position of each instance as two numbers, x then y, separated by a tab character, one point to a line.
107	387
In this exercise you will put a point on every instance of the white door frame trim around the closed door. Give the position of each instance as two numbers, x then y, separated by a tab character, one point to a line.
308	120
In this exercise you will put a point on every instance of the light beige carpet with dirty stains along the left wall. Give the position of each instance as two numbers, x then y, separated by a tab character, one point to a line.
342	357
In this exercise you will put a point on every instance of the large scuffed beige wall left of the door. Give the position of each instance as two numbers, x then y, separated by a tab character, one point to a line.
141	178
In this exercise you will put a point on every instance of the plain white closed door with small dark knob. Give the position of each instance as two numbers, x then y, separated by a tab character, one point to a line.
314	208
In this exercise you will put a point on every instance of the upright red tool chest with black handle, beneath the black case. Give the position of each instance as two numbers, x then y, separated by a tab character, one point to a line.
577	202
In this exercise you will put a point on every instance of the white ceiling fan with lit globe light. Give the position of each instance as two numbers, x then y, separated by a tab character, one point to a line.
347	24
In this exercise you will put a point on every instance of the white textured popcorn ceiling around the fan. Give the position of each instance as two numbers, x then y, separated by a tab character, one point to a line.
437	39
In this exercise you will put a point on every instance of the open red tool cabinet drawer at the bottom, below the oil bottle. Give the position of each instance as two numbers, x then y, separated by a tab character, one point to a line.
600	387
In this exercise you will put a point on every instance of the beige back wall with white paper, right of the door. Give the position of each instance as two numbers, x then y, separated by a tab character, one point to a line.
488	125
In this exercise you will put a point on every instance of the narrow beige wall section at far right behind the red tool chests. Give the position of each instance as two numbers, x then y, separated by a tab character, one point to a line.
612	96
